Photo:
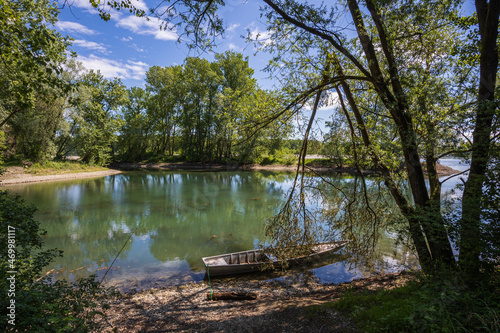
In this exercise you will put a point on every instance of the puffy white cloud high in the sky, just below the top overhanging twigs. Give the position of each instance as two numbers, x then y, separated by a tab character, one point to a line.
142	26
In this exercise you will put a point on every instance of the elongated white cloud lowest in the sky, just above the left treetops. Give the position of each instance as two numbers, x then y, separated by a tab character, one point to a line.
113	68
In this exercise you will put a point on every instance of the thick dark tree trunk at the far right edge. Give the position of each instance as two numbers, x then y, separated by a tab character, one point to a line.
470	235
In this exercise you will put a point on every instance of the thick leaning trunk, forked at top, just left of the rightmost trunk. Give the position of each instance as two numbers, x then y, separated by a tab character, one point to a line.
397	105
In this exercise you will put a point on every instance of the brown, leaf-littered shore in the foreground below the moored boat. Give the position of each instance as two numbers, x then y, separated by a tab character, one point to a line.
279	307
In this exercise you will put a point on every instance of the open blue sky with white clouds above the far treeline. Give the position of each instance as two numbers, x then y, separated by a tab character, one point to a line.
126	46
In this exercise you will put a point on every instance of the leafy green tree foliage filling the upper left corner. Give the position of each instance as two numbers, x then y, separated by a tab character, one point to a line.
31	54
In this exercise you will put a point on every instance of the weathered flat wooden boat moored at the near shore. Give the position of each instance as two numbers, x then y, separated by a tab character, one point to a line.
256	260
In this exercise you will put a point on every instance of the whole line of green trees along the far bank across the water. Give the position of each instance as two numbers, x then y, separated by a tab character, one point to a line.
198	111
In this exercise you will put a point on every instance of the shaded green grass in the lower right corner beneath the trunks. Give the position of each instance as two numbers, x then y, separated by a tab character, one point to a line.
423	306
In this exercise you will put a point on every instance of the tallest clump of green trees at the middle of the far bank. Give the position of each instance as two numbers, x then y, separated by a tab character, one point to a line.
205	111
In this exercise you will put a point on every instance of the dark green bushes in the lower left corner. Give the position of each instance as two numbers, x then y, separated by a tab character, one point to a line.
41	306
